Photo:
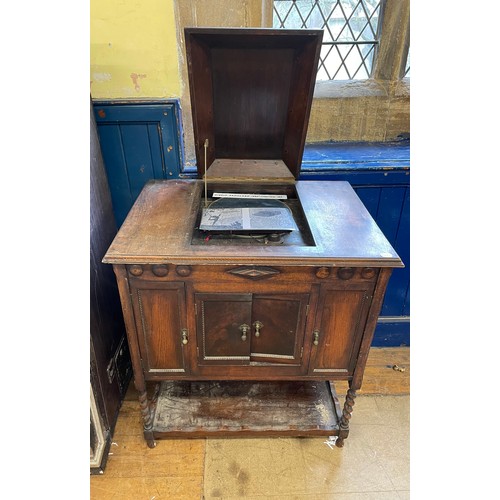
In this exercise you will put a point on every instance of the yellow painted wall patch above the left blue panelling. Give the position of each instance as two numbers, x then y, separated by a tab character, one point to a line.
133	49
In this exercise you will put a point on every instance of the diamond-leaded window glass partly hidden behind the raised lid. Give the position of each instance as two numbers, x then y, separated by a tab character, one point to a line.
349	33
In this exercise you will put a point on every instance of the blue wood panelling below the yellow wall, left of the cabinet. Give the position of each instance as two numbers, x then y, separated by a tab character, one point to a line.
139	142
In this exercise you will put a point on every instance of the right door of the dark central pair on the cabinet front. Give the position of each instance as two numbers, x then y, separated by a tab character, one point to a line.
278	323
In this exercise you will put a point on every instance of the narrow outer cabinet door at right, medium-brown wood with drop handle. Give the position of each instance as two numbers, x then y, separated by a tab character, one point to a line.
339	325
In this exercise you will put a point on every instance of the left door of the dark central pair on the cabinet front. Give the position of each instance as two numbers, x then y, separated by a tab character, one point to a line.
223	327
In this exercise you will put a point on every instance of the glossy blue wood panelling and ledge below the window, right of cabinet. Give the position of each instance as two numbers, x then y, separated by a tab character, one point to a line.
380	175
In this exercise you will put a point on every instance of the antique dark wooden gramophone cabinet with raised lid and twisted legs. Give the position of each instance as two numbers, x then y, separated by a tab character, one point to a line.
246	329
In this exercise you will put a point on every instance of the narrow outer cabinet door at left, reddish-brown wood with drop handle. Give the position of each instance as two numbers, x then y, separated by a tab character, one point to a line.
160	319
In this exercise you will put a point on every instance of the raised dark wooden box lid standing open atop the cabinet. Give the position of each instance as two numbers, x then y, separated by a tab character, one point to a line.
251	94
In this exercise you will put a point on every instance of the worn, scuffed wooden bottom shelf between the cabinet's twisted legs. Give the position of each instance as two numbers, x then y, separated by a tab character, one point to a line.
235	408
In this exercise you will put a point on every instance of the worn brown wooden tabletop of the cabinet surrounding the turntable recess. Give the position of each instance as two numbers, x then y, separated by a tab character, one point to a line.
159	229
